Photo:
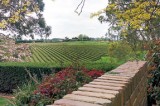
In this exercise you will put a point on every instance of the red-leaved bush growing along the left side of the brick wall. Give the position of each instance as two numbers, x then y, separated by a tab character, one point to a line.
55	86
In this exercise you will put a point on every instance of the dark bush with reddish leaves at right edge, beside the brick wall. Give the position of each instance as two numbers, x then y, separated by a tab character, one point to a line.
153	57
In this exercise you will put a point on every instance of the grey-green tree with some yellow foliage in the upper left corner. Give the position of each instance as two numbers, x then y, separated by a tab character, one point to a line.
22	17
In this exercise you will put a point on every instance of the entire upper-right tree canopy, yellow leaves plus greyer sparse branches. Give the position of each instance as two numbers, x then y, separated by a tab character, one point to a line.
137	18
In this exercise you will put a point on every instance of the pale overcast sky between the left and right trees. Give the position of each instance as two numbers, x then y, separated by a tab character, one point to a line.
65	22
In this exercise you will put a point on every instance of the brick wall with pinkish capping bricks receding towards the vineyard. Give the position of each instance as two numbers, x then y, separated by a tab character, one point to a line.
123	86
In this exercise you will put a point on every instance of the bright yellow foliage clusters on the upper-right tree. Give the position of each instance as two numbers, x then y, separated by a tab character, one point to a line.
135	15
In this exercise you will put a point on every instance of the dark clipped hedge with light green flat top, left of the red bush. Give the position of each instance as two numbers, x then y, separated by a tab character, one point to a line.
12	75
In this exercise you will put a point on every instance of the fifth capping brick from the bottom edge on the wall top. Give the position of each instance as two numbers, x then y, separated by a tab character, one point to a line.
104	87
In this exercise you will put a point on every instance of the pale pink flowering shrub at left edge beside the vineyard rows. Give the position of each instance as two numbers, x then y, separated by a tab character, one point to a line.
11	52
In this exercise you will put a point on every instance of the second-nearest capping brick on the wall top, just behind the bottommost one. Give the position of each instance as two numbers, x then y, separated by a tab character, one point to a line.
100	101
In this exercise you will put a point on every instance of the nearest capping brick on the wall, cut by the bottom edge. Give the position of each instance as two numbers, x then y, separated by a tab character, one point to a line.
67	102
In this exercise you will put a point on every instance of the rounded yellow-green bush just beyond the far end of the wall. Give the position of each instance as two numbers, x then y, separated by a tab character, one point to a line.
123	51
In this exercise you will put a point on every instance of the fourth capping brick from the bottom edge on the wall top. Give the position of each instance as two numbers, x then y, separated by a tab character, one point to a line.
98	90
